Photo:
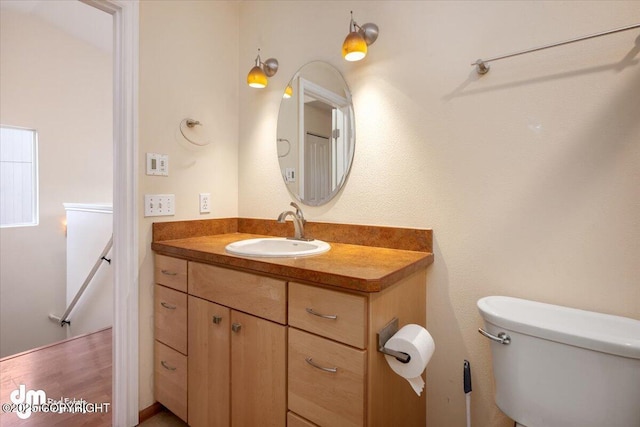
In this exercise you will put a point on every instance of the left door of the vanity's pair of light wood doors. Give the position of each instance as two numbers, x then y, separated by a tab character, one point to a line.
209	340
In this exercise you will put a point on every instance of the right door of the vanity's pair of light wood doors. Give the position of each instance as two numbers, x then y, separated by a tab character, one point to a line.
258	372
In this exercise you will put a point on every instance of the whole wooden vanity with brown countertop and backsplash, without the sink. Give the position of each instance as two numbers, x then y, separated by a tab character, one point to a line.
285	341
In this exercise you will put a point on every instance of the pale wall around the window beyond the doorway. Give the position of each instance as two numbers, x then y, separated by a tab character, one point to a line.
60	85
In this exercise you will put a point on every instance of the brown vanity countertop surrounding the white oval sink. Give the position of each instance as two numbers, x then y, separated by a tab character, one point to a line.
349	266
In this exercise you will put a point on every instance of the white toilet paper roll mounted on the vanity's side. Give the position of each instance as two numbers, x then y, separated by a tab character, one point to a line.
417	342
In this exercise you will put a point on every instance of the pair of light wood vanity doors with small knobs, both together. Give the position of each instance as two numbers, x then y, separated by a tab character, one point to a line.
237	367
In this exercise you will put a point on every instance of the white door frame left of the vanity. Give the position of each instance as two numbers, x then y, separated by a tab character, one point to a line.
125	208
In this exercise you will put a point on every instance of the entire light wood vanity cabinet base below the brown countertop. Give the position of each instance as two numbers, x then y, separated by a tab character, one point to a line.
264	351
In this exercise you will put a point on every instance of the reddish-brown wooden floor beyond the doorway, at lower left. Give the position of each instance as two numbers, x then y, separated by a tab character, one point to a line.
78	368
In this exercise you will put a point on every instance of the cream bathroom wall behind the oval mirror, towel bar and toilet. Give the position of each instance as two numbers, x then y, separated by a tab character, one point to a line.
528	175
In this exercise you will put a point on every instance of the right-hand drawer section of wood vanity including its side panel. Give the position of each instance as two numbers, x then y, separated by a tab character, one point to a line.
349	382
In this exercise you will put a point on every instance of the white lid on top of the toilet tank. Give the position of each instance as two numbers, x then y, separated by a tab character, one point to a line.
581	328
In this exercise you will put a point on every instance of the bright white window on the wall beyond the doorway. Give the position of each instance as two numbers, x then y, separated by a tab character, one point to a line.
18	177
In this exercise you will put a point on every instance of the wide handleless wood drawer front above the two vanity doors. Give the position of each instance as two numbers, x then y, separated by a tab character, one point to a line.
258	295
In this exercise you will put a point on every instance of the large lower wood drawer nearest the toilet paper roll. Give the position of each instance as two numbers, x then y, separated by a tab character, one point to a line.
326	398
